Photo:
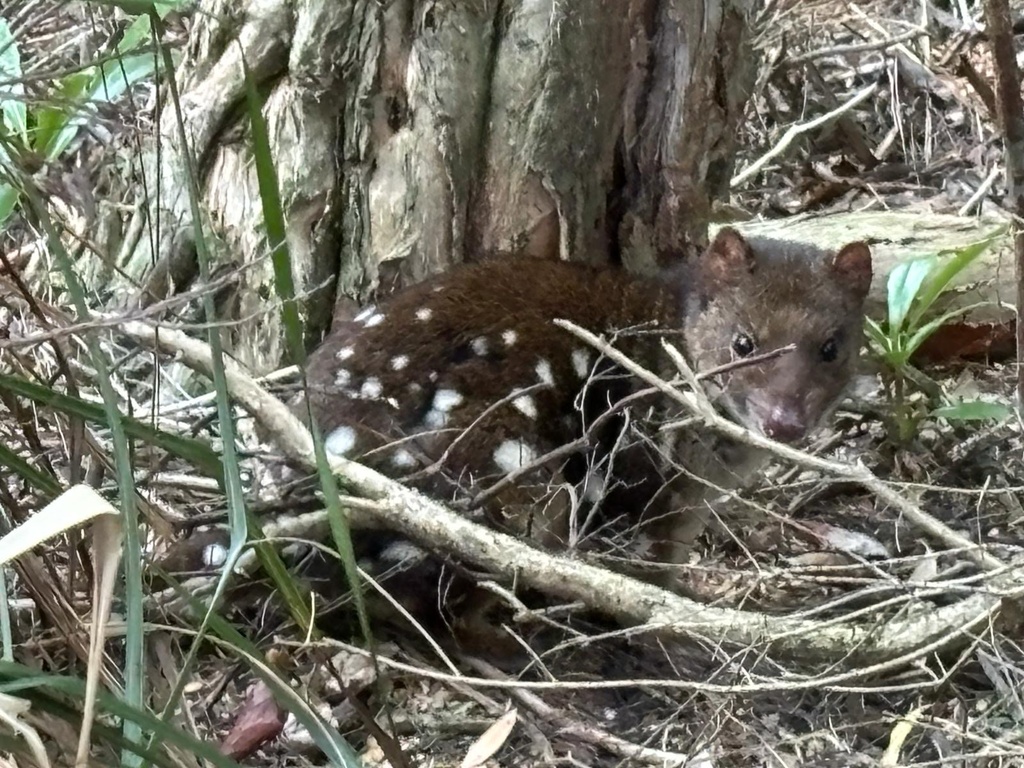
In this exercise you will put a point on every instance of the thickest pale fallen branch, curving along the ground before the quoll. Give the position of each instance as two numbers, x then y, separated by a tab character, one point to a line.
631	602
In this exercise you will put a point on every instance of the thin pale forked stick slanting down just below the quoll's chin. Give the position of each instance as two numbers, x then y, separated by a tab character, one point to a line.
698	402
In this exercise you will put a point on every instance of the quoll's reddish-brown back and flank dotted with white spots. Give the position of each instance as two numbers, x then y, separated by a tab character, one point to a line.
460	380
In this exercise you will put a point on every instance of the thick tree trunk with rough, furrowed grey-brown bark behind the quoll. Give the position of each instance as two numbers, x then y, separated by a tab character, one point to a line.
414	135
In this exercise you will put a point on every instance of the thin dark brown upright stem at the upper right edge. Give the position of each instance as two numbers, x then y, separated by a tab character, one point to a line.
1008	99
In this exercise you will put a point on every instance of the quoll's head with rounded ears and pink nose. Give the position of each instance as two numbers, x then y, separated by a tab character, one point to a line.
758	295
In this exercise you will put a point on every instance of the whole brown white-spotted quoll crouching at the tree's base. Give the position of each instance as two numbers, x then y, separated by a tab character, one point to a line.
460	380
